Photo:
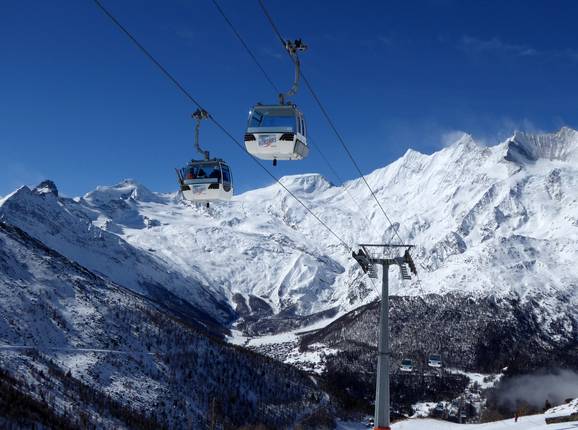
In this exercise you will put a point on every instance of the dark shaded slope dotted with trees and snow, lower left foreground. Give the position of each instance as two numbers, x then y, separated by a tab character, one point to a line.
93	351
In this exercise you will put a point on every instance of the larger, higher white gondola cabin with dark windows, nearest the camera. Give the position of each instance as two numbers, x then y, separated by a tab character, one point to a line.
276	132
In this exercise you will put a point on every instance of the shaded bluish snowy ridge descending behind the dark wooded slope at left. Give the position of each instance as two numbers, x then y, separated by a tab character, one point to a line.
66	226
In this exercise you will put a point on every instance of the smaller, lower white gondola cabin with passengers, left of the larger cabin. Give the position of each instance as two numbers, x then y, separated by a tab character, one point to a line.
206	181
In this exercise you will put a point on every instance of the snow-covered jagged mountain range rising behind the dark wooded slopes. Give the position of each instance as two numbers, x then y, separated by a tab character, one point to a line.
487	221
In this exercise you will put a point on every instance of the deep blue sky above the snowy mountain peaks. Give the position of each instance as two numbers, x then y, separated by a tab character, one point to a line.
80	105
